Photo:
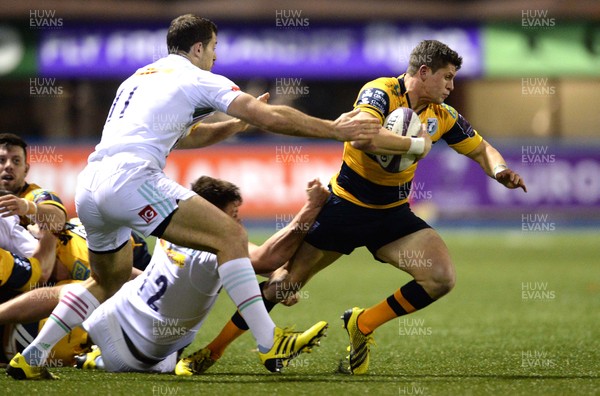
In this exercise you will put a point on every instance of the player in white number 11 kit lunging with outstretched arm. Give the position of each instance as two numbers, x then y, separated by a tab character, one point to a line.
123	187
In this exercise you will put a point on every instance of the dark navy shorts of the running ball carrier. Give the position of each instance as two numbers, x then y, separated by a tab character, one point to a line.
343	226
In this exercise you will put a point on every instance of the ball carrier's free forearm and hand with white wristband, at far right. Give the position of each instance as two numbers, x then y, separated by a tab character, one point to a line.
494	165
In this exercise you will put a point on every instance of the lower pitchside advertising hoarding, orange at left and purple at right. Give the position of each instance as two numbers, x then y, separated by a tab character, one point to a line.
273	177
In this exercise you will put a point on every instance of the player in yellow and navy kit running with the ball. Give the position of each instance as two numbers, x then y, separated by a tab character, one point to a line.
369	202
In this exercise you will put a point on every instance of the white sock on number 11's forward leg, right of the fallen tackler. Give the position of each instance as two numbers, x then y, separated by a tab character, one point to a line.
239	280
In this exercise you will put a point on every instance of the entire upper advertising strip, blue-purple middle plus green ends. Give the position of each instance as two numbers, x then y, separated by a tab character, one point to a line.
293	46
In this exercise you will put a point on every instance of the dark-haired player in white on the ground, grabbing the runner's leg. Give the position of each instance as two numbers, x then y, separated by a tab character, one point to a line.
141	328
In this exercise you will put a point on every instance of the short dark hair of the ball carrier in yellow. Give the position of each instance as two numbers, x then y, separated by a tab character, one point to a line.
433	54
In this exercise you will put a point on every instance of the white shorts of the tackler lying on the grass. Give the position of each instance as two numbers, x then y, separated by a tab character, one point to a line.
105	331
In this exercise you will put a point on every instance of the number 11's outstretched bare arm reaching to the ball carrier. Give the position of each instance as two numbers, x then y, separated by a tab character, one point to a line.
288	121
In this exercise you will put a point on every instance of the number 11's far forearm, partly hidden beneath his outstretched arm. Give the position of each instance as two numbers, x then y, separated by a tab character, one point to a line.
206	134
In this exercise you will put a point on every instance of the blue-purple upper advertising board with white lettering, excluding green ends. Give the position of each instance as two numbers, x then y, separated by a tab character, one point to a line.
256	51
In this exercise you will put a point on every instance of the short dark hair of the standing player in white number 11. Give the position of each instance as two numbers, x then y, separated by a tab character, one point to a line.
186	30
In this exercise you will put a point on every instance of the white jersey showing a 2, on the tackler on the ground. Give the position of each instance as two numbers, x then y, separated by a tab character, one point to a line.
163	308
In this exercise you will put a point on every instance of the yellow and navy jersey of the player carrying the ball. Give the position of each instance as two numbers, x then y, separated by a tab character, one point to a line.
365	181
